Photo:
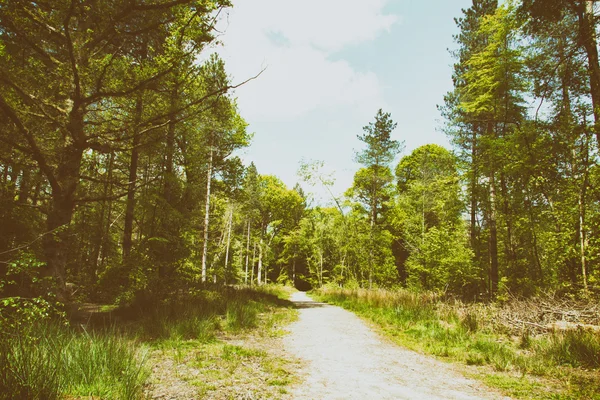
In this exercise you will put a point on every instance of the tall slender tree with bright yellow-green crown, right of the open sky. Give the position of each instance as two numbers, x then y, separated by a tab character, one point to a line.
492	95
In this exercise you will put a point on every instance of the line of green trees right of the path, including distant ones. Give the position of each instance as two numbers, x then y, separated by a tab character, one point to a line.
514	208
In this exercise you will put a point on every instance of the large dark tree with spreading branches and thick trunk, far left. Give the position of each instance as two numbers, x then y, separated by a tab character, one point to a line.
62	64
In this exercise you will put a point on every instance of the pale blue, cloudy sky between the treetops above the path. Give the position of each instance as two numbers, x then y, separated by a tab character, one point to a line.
329	65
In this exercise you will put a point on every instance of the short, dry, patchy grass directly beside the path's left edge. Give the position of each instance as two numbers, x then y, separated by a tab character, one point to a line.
239	361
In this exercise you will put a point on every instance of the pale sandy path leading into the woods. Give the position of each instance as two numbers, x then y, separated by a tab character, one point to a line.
347	360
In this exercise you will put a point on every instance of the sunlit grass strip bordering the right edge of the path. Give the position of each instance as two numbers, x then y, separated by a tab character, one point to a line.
558	365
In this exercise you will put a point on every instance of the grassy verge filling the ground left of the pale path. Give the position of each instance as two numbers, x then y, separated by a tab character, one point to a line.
45	358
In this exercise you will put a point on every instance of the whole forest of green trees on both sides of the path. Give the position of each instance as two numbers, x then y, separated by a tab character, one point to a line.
122	184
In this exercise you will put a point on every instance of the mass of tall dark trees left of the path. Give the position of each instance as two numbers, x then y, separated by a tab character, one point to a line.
127	108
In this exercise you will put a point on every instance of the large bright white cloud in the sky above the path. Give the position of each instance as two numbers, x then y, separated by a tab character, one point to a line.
294	40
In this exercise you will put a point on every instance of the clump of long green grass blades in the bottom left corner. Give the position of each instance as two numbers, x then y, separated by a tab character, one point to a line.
50	361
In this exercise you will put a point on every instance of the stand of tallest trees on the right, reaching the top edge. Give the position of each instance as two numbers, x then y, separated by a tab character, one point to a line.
527	172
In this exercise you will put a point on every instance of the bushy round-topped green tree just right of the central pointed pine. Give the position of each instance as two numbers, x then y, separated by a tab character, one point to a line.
428	218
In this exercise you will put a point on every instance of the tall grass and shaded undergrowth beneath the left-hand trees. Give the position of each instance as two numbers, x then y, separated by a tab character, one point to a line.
44	356
